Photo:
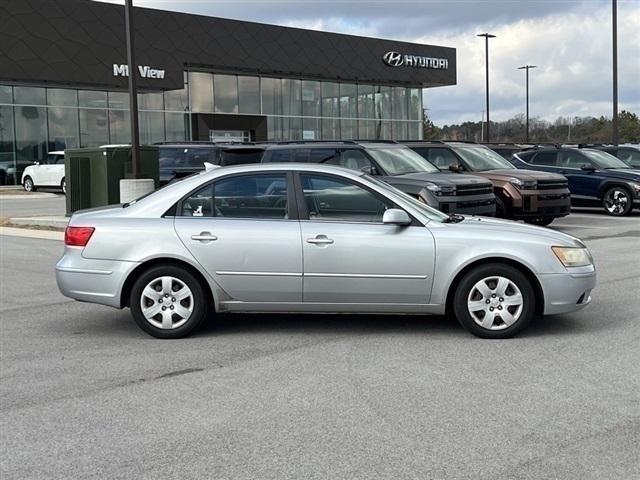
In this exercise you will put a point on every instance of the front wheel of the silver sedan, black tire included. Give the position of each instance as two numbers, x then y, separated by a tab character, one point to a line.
520	312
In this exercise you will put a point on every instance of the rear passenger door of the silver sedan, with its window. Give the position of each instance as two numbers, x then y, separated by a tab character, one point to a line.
243	231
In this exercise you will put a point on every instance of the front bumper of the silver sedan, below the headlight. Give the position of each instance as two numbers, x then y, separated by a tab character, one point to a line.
567	292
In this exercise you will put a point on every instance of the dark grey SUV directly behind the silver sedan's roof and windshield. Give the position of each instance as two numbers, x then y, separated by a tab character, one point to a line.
399	166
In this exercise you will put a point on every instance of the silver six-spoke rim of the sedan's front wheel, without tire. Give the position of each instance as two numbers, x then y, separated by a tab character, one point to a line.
495	303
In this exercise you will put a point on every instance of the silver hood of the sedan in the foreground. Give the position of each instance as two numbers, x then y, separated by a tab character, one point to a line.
509	228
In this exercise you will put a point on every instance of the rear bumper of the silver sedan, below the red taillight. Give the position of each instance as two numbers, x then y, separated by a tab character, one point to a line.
94	281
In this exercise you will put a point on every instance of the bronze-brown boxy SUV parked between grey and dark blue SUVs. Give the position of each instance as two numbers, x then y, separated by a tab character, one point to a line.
528	195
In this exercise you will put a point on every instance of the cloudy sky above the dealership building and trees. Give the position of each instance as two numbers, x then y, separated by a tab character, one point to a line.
569	41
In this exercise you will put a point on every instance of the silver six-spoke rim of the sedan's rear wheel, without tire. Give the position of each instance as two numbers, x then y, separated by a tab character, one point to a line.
167	302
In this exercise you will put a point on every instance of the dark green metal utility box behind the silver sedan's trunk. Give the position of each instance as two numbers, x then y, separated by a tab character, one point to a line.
93	174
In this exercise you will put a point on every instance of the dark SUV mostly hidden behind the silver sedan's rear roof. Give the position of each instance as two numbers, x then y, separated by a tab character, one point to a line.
177	160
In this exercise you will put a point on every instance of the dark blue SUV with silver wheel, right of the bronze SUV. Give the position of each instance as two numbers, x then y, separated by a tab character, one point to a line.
596	178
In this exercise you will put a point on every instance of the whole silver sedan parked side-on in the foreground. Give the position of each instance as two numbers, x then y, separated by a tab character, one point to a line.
315	238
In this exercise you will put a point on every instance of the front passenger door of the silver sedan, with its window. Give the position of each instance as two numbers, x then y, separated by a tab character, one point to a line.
350	257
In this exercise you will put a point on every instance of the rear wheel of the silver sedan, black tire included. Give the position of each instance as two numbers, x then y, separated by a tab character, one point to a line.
188	312
